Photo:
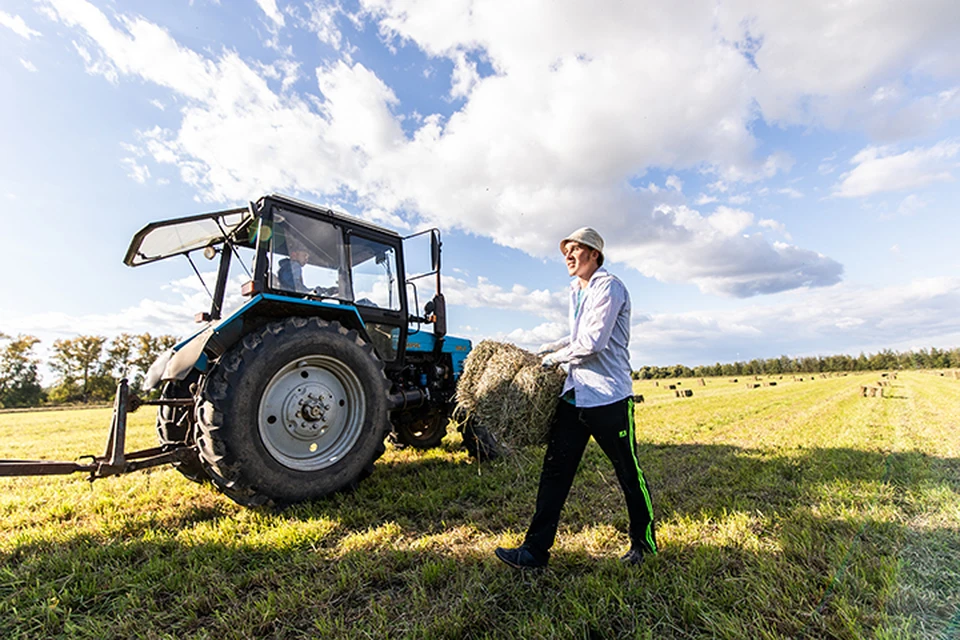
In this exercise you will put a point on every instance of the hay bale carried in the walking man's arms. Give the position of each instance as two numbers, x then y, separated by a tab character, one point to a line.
505	389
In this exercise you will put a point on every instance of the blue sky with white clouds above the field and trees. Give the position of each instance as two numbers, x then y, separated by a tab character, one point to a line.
770	178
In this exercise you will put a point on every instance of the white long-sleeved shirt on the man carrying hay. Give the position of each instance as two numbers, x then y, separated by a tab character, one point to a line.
597	349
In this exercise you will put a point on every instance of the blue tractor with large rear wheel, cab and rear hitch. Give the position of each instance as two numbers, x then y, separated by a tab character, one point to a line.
292	396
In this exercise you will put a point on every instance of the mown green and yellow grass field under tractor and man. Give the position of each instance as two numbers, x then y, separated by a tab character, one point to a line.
800	510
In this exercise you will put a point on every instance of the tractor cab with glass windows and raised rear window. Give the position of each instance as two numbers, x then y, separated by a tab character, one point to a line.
297	257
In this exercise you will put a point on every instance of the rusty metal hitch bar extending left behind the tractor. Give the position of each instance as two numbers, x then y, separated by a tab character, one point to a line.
114	460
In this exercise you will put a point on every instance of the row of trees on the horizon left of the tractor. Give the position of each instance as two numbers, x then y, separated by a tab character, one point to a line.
87	368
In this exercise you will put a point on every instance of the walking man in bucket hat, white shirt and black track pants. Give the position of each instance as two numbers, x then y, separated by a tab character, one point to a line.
597	400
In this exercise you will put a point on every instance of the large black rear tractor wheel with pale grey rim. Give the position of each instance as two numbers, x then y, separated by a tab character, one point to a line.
295	411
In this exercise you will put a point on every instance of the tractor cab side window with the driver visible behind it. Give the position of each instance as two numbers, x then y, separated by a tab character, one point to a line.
306	256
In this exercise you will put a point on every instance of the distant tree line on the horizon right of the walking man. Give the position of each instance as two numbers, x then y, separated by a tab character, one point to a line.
885	360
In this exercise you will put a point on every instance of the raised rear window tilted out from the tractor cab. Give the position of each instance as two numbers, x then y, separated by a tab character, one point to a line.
159	240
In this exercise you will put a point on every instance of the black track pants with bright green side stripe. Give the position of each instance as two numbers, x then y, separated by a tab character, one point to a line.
612	426
